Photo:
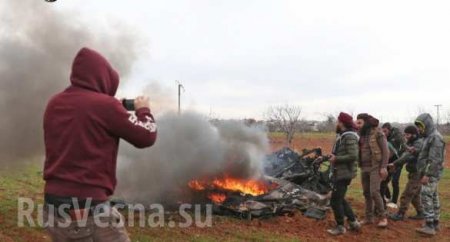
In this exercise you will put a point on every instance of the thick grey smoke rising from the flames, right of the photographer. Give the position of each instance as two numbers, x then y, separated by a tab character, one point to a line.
189	147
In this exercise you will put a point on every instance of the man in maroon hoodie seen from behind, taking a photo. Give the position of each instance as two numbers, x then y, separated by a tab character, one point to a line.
82	128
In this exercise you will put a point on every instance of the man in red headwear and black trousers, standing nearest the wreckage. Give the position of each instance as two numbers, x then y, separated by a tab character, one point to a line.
343	162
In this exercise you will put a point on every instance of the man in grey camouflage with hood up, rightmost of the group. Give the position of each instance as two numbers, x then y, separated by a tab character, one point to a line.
430	165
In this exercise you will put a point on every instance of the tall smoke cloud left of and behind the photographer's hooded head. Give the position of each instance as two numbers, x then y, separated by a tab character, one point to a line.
37	46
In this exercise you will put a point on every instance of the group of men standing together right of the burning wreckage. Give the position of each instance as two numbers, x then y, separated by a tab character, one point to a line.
381	153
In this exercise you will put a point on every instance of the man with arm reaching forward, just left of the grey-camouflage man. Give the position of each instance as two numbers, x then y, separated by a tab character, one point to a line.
411	194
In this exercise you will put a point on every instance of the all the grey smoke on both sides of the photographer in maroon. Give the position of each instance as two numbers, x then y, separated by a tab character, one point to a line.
37	46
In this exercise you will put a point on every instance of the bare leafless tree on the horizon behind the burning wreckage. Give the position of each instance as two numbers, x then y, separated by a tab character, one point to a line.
286	119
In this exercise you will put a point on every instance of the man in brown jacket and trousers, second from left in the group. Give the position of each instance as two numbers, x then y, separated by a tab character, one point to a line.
374	155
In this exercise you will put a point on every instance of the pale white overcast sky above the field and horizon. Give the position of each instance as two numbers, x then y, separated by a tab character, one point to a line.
237	57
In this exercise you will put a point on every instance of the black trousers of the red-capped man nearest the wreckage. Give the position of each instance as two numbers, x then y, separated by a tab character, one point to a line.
341	208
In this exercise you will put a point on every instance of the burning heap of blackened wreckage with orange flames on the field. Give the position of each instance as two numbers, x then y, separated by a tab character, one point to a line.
293	182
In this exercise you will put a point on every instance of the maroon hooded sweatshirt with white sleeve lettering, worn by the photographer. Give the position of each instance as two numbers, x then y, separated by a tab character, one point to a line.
82	127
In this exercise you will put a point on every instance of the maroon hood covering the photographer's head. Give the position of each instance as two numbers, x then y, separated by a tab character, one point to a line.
90	70
